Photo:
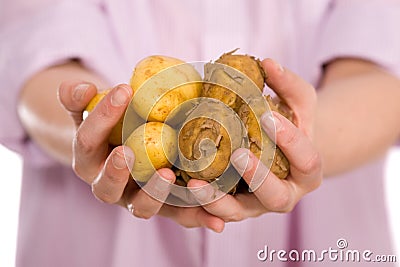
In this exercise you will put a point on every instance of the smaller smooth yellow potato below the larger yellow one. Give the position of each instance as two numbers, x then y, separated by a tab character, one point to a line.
155	146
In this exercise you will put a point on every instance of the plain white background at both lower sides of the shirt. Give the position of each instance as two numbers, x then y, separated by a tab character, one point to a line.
10	173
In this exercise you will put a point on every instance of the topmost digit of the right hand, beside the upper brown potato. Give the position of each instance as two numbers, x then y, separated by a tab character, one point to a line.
298	94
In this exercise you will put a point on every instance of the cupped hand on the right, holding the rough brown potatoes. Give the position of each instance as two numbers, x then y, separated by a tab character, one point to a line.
295	140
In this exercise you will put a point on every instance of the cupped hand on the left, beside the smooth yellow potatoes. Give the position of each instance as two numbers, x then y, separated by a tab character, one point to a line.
106	168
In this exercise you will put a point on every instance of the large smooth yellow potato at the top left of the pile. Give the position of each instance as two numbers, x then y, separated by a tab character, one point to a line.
160	84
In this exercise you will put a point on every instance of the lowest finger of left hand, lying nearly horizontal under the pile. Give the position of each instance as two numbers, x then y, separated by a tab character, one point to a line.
193	217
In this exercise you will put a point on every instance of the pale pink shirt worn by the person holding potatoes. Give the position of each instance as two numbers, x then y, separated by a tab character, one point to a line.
62	224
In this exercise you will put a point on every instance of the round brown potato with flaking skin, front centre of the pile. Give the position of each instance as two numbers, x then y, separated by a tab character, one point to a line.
208	137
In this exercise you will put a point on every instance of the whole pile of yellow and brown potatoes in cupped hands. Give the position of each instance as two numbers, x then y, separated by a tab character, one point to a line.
192	124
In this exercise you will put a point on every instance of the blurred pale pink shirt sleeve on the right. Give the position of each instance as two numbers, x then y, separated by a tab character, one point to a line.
362	29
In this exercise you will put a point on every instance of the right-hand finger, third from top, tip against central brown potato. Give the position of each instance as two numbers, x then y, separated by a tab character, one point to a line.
275	194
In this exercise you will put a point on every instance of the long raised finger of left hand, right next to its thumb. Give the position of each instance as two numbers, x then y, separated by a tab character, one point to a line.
91	139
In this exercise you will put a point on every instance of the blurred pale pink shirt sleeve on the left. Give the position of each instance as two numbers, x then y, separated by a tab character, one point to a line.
33	39
